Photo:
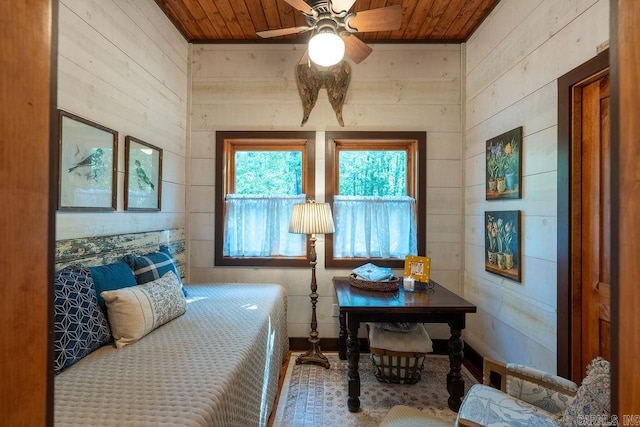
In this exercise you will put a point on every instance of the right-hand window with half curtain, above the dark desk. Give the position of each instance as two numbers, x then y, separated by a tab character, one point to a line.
376	183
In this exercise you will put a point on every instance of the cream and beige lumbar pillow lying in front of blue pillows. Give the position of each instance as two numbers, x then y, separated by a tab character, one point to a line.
135	311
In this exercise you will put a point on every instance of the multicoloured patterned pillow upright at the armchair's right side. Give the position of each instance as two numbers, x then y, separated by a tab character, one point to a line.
594	394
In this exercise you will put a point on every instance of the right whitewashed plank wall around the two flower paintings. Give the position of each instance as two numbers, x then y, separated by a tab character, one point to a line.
513	62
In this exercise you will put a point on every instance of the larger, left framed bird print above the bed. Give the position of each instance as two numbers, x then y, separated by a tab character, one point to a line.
87	175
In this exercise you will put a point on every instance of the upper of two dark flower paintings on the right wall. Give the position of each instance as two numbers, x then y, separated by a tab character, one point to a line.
504	165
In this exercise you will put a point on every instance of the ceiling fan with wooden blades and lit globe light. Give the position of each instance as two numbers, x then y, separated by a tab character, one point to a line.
333	28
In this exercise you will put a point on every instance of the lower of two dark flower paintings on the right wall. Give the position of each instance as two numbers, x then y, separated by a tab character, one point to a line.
502	244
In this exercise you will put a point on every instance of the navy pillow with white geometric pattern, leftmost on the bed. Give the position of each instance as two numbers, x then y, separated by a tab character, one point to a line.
79	326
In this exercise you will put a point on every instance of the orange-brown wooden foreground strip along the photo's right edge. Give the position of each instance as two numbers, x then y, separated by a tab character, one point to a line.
626	205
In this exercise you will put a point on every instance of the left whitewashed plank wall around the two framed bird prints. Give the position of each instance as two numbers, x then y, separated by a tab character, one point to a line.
123	65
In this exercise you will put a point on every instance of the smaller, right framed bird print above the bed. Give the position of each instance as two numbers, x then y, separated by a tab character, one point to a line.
142	176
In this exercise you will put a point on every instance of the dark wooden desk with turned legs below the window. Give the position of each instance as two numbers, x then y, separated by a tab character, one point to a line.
427	304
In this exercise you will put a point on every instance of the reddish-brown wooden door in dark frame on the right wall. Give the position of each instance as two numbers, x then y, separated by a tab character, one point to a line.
591	229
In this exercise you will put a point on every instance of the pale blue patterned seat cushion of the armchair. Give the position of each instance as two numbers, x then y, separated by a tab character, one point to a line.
488	406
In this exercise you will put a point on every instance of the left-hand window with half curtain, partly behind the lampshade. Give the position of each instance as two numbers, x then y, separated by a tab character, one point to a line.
259	176
